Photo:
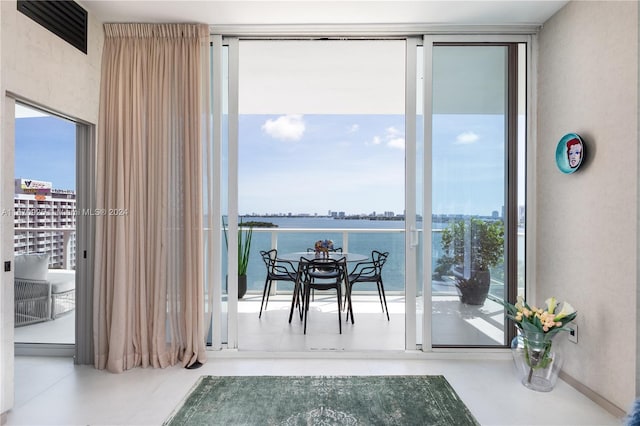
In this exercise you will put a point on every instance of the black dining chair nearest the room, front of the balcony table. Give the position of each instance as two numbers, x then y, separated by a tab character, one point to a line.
322	275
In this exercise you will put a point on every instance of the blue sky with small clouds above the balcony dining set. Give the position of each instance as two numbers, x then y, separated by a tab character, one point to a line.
316	163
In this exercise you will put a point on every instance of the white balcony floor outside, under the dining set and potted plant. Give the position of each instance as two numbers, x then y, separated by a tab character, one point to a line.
454	323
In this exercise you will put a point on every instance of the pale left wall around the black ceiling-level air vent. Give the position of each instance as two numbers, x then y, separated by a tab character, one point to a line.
40	67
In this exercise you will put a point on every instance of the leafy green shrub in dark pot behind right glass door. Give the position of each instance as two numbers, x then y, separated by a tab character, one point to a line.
470	247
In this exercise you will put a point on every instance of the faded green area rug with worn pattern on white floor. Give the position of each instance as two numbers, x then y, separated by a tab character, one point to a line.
340	400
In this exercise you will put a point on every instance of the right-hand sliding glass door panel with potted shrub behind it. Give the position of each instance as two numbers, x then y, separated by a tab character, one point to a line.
473	136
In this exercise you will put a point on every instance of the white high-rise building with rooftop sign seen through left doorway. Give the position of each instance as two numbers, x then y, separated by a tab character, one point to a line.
45	221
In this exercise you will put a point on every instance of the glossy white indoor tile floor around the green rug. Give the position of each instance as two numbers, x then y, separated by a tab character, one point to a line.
53	391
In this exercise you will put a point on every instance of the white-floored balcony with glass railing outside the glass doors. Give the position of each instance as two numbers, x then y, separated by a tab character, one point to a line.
452	321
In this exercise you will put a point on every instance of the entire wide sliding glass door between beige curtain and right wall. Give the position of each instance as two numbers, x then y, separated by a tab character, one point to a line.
308	134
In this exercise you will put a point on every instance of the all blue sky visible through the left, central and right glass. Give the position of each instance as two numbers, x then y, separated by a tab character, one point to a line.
317	162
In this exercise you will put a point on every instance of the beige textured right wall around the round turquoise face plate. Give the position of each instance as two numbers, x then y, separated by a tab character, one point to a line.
587	222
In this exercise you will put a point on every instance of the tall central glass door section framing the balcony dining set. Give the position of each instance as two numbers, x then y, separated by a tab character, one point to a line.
321	155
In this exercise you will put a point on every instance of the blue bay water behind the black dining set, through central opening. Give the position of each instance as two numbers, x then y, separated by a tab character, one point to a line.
321	228
